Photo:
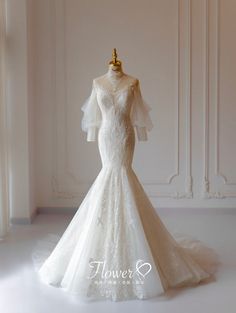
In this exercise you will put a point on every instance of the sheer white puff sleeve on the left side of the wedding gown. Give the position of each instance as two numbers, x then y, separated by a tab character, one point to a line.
92	117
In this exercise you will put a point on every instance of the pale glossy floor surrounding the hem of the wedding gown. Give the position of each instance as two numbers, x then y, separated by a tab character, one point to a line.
22	292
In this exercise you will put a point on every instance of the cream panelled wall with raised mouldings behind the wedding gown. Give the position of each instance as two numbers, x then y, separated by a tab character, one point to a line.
183	53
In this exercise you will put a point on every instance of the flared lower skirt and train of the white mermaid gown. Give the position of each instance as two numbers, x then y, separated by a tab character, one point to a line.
118	229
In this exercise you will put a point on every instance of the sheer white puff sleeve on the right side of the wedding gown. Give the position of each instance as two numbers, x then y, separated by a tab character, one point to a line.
139	114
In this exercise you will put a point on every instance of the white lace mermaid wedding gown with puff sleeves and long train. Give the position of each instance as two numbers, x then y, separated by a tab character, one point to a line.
116	247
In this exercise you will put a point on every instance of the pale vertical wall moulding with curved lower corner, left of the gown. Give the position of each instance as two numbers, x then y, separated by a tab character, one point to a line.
60	98
